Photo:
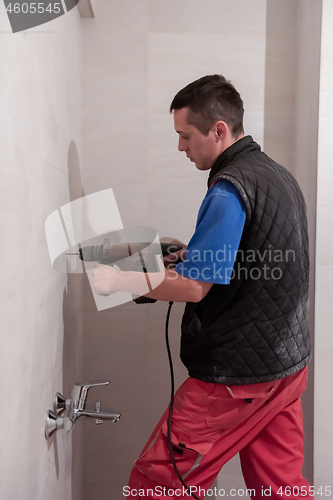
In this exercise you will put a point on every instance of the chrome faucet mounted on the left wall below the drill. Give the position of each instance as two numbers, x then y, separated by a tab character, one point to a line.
67	411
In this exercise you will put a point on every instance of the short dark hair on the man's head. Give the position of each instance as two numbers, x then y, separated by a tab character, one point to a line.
210	99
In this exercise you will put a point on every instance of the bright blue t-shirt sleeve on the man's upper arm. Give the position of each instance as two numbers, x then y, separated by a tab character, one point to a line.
212	250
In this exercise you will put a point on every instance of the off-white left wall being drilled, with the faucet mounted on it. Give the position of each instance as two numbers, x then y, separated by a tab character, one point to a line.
40	116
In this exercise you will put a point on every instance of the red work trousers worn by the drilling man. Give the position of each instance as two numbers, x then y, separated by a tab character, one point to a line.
213	422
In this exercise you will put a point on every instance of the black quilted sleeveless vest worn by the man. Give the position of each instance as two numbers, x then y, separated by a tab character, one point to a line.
256	328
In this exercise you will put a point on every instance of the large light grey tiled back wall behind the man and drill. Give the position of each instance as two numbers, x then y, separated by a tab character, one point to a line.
136	56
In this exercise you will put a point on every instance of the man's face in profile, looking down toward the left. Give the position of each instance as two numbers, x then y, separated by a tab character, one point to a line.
202	149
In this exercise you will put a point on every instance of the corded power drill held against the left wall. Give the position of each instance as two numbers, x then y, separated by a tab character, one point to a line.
130	257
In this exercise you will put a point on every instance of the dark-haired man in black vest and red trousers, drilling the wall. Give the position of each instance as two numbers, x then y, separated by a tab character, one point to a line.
245	338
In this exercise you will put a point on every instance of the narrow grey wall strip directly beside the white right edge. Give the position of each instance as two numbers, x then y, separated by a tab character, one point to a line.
305	170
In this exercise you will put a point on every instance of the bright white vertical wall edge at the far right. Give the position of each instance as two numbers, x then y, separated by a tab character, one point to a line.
323	433
